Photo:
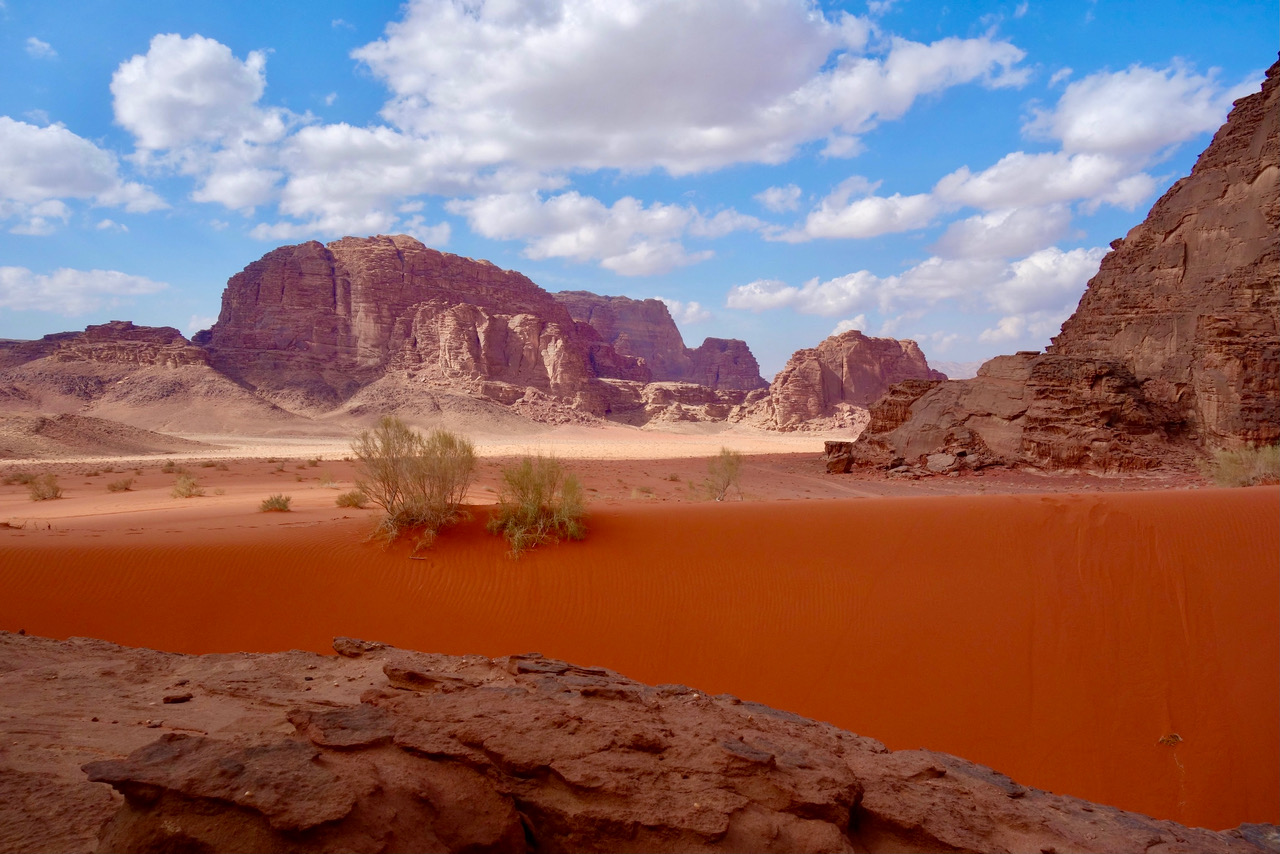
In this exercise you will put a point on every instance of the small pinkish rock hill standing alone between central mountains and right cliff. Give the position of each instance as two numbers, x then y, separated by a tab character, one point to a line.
833	385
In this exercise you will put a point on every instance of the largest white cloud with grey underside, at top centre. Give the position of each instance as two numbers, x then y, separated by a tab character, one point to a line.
630	85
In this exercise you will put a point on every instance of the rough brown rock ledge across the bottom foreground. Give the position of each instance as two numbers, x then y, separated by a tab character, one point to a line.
382	750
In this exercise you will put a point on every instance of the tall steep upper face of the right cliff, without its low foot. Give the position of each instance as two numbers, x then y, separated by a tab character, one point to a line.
1190	299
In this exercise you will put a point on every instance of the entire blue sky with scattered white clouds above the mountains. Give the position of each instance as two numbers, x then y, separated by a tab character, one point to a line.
775	170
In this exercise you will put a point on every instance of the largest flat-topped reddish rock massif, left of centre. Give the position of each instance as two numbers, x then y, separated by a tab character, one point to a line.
309	326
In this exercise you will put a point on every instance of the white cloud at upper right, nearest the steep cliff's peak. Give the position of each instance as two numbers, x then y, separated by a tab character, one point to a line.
1139	112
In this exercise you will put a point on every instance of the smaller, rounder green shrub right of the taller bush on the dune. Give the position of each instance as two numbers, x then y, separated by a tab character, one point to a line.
540	503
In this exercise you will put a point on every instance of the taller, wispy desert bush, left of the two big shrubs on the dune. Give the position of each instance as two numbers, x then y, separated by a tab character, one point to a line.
419	482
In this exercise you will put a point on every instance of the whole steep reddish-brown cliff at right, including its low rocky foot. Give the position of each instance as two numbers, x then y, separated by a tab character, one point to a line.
1173	348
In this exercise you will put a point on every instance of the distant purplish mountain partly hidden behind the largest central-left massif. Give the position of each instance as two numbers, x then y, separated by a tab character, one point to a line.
644	330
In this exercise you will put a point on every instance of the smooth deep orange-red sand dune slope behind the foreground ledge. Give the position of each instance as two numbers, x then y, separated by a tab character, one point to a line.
1057	638
